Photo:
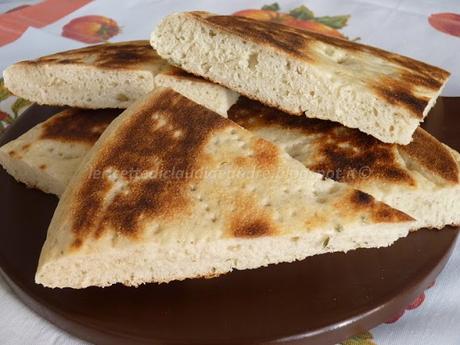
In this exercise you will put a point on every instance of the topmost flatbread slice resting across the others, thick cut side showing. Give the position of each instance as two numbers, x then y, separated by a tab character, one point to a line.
383	94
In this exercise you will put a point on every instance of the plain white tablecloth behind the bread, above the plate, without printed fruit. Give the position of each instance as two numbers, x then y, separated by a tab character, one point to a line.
397	25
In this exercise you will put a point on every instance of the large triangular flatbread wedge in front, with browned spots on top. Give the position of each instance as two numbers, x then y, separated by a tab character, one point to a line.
172	191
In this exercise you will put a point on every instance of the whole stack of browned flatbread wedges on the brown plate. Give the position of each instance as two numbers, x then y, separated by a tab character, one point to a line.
193	180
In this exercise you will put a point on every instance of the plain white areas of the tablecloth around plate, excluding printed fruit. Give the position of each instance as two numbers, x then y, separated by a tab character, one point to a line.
397	25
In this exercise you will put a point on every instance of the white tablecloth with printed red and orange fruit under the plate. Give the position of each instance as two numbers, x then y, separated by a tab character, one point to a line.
428	30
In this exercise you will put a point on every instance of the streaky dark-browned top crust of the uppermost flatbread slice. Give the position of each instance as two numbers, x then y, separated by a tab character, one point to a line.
397	88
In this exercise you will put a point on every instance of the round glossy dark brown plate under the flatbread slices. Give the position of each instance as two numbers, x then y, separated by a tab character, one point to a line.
320	300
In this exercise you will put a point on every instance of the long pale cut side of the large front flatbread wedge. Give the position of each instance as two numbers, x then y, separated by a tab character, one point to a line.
155	263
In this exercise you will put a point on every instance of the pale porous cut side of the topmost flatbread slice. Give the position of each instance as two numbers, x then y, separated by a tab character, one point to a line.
296	87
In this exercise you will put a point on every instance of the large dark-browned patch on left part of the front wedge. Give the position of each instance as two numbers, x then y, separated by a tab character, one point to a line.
161	138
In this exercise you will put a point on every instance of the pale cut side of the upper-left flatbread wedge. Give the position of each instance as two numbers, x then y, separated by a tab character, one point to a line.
79	86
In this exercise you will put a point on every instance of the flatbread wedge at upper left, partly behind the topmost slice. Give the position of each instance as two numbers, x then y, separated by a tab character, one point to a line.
111	75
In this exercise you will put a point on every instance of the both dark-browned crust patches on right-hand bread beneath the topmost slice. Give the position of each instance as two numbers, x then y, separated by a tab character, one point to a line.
348	155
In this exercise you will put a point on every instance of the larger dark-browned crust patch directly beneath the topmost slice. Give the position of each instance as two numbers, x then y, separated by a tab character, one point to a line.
343	154
